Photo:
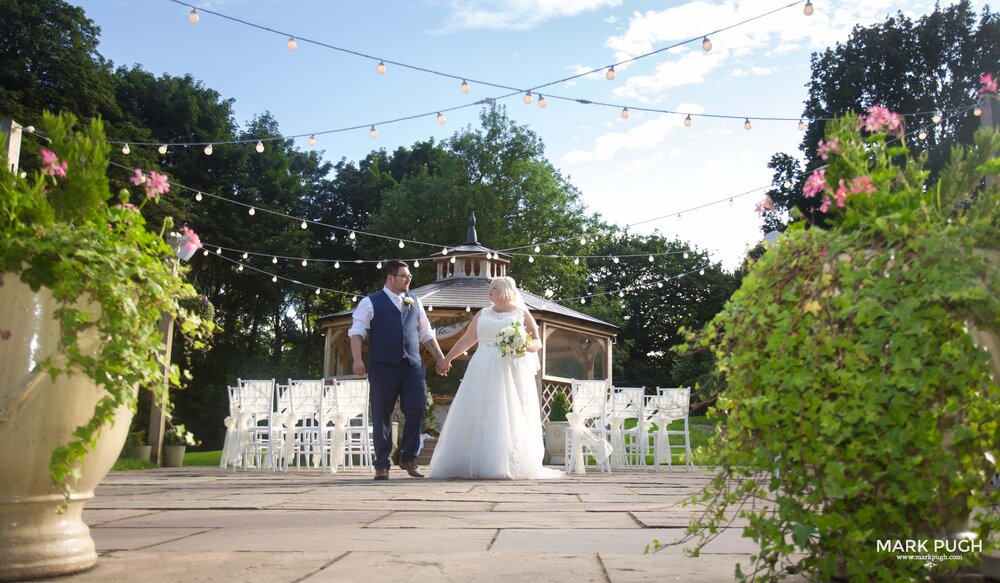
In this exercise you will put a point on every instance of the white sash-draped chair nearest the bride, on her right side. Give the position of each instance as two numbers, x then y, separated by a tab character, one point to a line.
588	426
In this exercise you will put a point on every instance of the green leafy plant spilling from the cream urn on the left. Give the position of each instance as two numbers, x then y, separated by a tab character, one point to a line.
74	237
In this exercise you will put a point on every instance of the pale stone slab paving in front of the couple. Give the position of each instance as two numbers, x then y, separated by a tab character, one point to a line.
208	524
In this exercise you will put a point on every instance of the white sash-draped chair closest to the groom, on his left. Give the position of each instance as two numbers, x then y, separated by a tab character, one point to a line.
345	406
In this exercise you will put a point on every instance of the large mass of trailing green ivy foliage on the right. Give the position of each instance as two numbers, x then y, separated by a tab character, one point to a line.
858	408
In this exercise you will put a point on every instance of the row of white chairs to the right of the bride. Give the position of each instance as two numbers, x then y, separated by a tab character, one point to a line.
621	426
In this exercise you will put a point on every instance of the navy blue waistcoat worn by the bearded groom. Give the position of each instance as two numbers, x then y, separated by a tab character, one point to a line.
393	335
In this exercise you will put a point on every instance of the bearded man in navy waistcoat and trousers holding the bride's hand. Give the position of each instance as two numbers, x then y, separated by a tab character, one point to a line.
396	325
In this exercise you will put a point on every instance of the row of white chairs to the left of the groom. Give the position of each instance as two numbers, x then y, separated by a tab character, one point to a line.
314	423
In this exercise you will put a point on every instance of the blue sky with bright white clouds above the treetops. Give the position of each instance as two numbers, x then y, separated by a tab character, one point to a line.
628	170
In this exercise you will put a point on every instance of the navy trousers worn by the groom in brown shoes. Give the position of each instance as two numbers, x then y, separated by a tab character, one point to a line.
404	381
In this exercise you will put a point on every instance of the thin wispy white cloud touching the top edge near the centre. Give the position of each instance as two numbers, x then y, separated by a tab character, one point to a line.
516	14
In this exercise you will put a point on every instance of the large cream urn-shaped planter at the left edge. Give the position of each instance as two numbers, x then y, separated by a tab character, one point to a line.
37	414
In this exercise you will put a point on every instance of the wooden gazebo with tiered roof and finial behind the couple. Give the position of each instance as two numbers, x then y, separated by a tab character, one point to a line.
574	345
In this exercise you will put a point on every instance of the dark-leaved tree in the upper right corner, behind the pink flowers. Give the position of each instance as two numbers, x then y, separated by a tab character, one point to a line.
931	65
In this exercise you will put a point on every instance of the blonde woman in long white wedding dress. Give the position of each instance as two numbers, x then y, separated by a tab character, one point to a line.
493	428
